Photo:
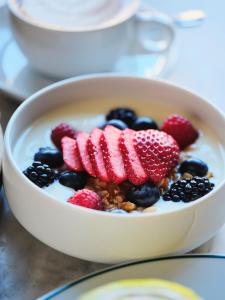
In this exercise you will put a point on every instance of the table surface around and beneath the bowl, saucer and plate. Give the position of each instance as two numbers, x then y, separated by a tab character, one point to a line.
29	268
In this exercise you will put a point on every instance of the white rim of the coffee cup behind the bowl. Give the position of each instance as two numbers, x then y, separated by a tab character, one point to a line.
133	7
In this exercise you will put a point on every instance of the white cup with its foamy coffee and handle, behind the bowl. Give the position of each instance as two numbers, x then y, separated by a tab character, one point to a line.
66	38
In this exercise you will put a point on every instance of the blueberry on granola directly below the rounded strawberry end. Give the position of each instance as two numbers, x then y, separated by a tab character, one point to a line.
143	195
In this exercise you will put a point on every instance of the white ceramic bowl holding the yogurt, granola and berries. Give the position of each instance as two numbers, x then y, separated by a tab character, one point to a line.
100	236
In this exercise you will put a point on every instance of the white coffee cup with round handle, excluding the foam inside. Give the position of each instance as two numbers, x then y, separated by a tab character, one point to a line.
62	53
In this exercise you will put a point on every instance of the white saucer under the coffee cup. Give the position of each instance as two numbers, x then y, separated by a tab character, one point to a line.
20	81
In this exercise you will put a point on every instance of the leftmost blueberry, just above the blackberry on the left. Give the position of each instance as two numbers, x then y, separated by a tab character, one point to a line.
49	156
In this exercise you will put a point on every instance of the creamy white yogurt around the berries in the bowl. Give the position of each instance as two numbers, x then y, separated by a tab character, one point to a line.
207	148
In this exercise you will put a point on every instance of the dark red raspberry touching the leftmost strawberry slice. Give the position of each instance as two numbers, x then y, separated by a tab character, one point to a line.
60	131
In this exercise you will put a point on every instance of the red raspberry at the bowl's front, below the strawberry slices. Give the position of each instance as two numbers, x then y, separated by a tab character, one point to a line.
86	198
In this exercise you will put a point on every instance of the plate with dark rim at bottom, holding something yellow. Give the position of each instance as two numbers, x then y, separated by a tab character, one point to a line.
202	273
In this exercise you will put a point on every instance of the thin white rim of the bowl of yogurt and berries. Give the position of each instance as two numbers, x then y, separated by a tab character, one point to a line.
60	84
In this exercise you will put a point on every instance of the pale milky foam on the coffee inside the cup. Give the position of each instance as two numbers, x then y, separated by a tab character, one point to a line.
72	14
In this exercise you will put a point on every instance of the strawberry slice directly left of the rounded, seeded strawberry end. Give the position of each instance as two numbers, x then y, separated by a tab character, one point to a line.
133	167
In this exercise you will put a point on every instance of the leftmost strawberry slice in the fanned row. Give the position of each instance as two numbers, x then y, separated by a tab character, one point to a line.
70	154
